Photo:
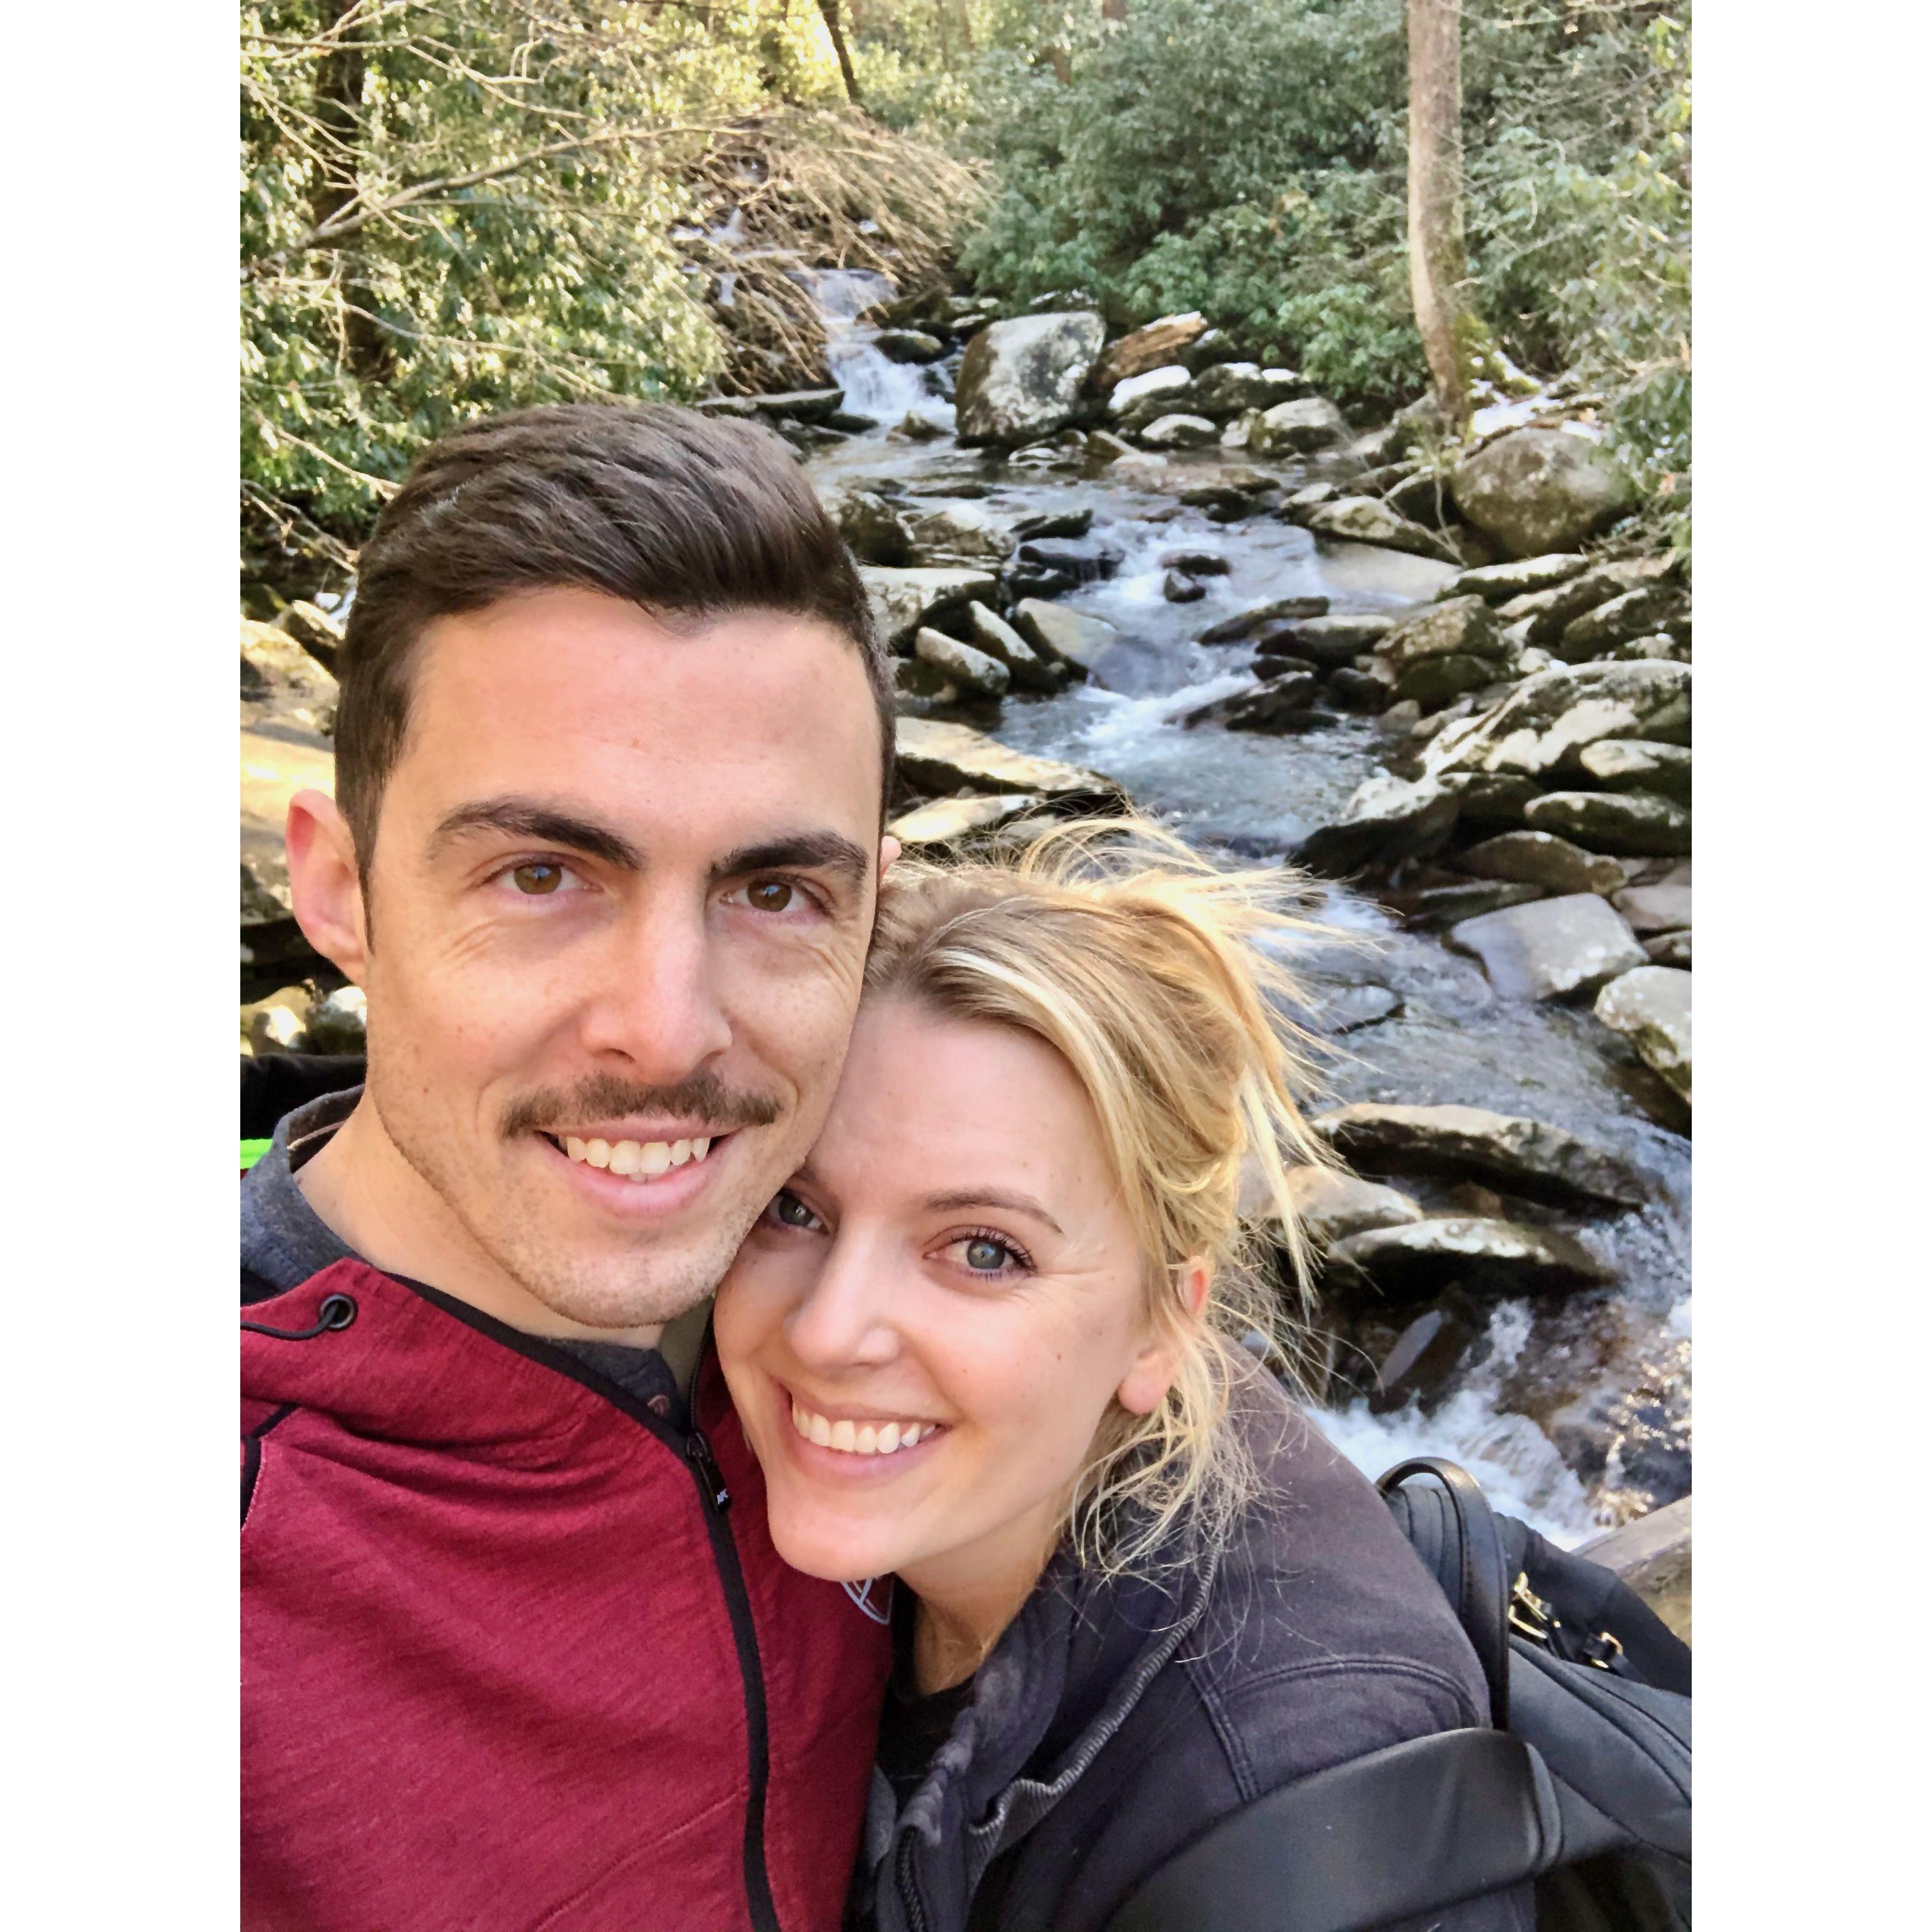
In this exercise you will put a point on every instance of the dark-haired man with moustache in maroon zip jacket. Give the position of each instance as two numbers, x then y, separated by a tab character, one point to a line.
611	764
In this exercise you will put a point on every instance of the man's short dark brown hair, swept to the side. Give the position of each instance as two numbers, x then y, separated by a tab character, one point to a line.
673	511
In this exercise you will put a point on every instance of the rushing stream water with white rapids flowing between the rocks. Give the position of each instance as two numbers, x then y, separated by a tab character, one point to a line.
1576	1413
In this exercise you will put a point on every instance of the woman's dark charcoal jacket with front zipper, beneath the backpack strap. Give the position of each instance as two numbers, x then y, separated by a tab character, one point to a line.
1116	1722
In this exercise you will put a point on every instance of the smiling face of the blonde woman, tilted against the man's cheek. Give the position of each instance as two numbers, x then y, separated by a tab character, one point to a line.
928	1326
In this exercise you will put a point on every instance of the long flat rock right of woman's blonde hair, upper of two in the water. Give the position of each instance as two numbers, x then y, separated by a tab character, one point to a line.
1514	1154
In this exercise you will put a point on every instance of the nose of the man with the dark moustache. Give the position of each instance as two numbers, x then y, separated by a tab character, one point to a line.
658	1004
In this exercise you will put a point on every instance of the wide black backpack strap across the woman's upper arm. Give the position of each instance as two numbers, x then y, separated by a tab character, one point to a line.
1413	1829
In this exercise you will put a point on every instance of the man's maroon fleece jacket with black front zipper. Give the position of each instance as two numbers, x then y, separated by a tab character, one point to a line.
517	1653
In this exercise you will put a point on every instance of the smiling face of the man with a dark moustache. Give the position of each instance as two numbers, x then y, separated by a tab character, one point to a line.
619	909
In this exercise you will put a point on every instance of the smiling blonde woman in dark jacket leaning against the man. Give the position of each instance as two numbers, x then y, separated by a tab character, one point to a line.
982	1344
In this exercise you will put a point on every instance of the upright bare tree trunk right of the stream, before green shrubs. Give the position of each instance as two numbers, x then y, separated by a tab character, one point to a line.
1436	256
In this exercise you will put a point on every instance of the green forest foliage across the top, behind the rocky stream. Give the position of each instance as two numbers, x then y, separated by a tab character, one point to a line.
461	206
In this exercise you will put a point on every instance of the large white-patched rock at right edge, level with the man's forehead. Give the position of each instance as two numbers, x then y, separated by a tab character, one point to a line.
1545	725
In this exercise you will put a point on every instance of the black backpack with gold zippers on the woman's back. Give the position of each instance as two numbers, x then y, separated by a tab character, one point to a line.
1583	1786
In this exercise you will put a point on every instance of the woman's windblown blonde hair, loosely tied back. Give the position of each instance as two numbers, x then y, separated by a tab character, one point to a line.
1156	977
